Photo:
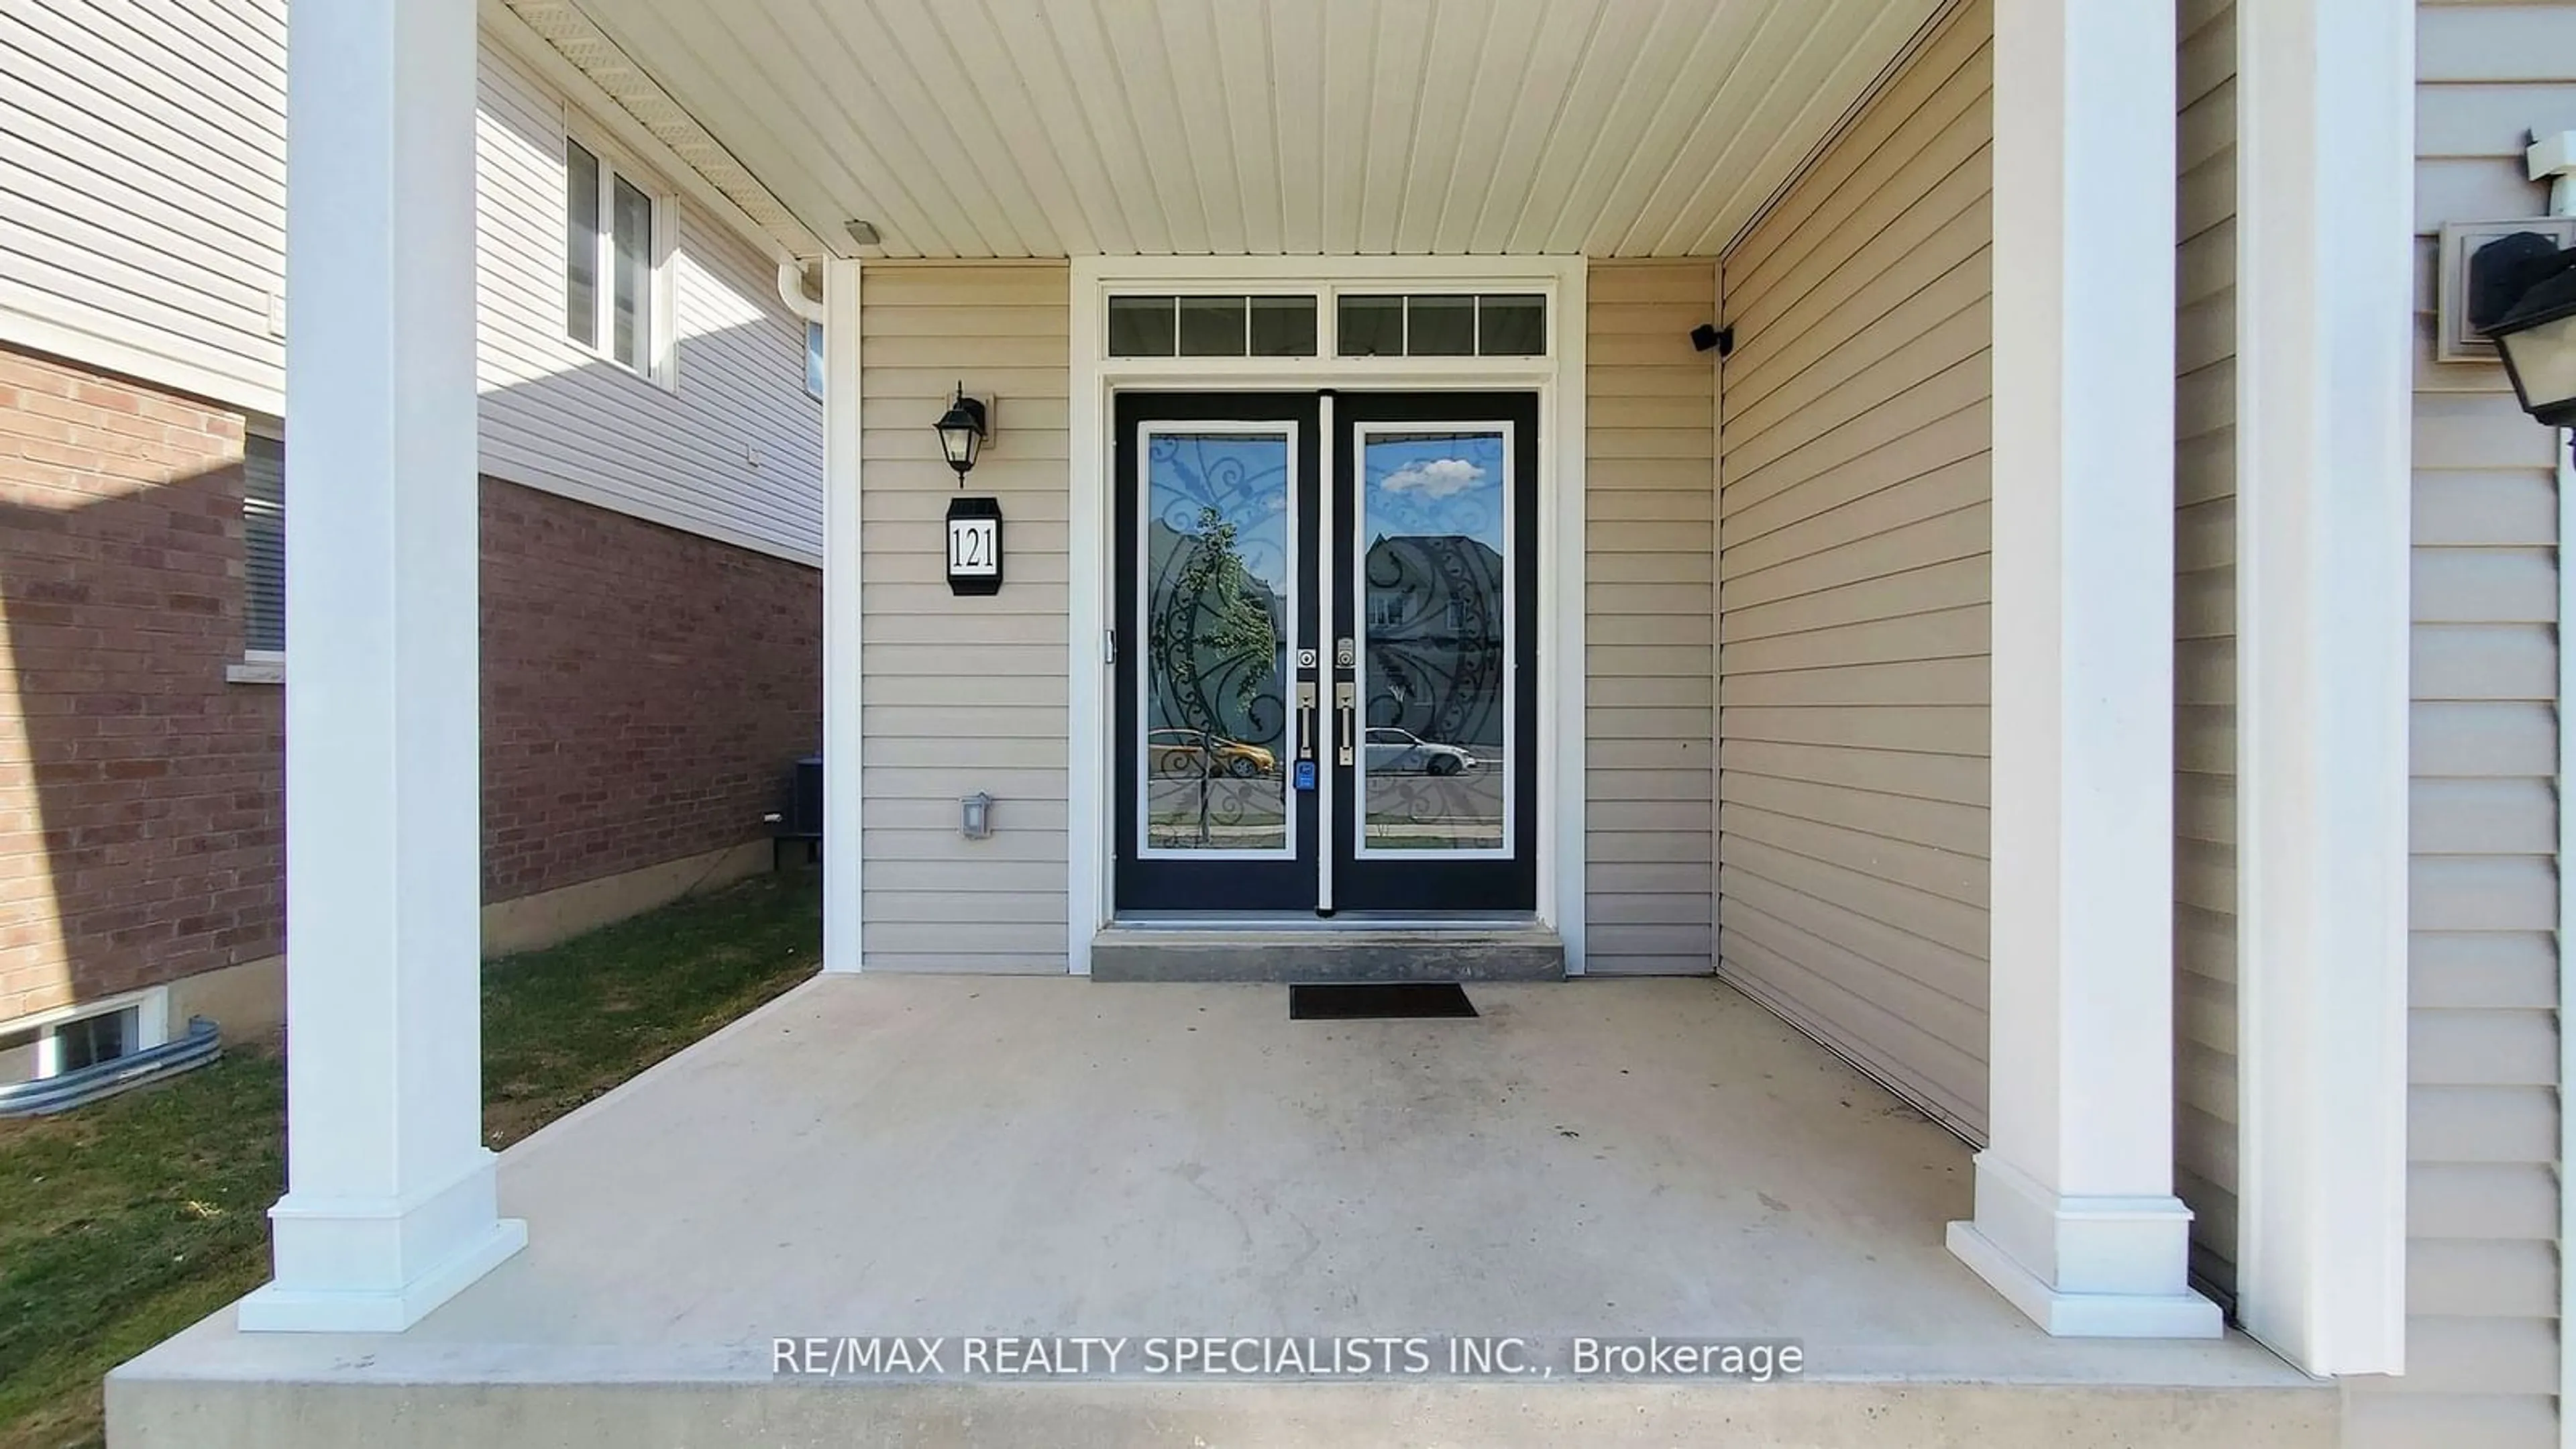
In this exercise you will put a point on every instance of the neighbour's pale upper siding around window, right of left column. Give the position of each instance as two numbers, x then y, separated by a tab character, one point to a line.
730	450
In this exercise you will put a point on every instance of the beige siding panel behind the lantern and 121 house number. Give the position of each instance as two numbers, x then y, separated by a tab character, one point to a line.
965	695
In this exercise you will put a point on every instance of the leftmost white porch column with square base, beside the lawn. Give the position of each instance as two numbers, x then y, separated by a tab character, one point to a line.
388	1187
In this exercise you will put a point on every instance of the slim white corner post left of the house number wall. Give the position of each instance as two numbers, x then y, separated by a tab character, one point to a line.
841	566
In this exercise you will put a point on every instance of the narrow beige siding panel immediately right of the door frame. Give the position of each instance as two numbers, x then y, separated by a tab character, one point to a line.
1650	504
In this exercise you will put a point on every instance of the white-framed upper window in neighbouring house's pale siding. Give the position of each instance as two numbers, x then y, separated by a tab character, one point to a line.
614	264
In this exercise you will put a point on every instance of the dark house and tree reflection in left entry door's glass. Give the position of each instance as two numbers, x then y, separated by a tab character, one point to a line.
1215	661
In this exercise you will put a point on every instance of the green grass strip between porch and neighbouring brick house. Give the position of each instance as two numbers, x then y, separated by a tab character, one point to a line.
130	1221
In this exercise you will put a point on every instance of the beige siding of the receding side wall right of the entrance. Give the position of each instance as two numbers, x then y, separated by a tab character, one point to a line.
1853	587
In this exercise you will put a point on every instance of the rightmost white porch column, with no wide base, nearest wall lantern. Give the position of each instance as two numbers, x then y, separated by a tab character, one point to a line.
2325	404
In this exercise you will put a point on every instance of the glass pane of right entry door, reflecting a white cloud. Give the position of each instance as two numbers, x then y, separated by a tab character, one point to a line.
1436	641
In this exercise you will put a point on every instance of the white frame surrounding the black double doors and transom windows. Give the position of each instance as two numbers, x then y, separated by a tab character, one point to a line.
1560	383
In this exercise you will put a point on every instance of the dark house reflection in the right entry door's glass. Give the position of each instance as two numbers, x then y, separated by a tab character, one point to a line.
1436	638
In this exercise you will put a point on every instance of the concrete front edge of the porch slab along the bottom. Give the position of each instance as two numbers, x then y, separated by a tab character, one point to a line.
601	1409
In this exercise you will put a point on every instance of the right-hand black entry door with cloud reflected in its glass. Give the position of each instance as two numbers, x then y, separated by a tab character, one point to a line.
1434	651
